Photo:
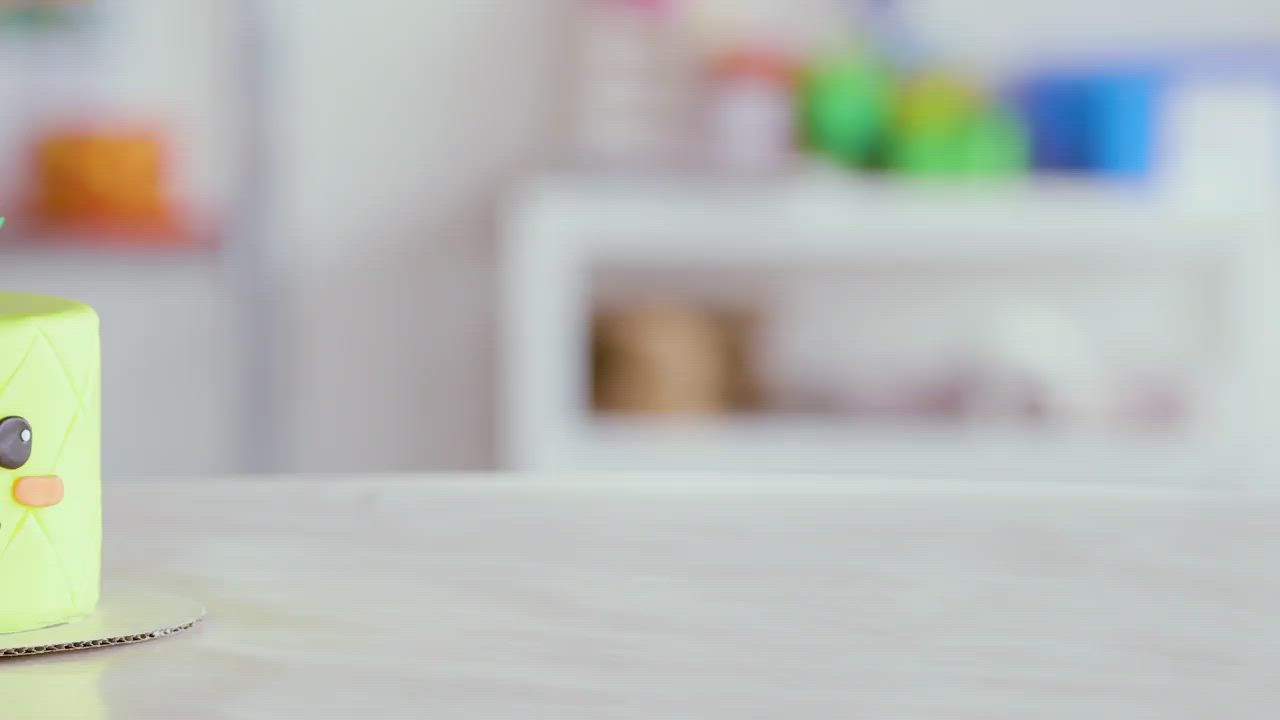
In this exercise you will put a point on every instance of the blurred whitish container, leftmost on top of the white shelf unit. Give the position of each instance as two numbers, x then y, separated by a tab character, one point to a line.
634	102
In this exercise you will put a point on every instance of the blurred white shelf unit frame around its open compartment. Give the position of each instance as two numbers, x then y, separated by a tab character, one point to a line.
559	229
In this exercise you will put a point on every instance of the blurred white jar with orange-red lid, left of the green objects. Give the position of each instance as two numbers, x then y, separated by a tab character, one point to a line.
752	113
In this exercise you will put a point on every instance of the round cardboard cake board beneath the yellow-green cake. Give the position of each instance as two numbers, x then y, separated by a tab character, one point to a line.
121	618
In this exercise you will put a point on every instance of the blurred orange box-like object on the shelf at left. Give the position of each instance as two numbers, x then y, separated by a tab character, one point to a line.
109	185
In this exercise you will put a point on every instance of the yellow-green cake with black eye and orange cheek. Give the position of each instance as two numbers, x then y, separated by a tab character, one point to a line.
51	509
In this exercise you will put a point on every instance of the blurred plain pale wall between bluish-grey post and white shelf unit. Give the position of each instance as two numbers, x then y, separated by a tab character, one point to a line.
401	122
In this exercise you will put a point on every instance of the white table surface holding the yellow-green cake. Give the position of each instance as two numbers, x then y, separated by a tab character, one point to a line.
483	598
